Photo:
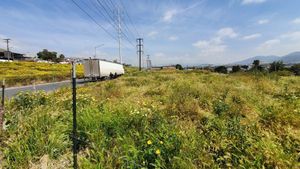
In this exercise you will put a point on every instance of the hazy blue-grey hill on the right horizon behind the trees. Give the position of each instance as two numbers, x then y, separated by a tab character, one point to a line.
290	58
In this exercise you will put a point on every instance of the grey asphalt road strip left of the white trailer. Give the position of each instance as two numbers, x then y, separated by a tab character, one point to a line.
12	91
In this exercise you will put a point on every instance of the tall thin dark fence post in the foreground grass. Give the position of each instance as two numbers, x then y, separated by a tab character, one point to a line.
74	133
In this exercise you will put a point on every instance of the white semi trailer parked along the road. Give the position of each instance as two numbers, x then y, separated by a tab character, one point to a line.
100	69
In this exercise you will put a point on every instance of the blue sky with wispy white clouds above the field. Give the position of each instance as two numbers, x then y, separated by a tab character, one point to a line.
188	32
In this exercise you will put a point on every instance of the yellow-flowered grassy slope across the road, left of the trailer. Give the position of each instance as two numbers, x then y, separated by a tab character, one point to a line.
24	73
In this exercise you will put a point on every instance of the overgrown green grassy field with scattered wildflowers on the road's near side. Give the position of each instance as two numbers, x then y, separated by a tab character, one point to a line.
160	119
